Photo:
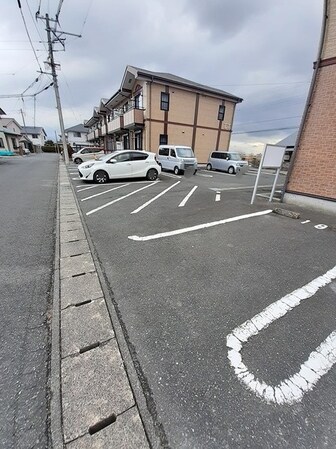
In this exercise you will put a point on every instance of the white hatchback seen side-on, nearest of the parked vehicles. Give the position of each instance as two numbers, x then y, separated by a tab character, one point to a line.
120	165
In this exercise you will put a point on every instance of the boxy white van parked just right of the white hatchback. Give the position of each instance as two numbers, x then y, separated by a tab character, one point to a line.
176	158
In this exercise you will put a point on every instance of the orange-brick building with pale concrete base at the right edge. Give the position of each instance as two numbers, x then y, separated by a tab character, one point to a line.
312	176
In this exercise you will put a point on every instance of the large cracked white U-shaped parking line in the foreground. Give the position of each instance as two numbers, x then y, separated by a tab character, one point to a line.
319	362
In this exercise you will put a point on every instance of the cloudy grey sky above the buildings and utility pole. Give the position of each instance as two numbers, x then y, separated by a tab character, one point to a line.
260	50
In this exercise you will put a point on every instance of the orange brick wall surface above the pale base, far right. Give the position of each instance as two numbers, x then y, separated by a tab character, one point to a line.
314	169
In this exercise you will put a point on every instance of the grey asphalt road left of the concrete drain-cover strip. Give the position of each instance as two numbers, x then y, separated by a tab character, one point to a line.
28	187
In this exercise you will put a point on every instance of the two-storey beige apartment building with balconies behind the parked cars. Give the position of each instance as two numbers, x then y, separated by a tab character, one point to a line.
153	108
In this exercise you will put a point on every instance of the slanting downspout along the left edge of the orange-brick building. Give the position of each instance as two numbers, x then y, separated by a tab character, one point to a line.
309	97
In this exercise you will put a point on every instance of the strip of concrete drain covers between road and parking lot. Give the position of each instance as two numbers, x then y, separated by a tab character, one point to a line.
92	404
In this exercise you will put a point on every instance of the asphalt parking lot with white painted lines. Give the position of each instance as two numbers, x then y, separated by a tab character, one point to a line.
191	265
